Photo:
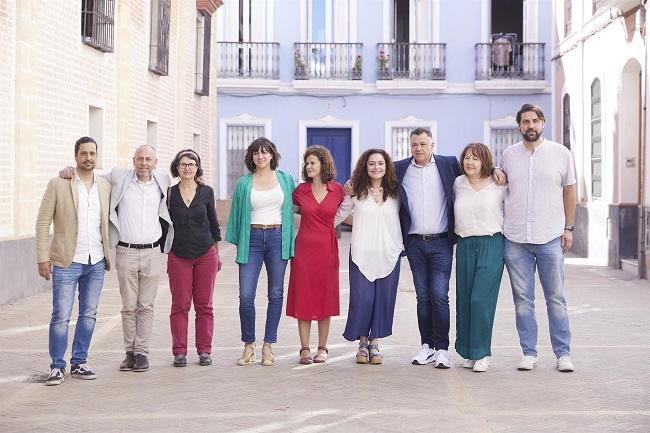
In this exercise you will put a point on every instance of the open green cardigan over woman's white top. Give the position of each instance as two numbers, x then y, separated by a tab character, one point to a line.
238	231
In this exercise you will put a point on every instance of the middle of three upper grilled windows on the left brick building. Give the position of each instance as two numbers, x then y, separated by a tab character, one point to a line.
159	46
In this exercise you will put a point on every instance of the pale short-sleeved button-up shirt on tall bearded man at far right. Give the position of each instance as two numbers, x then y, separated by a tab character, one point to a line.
534	204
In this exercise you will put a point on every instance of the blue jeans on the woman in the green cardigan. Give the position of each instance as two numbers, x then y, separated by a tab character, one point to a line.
265	247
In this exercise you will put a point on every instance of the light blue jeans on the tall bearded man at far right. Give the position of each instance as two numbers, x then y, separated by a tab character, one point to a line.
521	260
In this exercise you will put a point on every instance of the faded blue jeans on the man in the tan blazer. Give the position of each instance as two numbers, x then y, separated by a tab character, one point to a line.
90	279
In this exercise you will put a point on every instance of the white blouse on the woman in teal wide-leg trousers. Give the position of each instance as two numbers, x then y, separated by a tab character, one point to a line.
478	213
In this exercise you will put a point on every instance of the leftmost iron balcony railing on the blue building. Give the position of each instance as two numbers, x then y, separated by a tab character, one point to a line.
248	60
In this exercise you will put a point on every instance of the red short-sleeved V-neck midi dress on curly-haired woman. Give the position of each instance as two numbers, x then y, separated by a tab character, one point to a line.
314	280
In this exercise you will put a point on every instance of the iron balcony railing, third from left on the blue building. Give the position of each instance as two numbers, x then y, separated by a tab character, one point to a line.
411	61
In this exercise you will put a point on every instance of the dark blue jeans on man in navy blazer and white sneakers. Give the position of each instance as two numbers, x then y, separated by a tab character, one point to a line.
430	263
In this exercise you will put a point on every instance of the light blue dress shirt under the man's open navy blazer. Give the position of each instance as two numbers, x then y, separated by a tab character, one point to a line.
426	198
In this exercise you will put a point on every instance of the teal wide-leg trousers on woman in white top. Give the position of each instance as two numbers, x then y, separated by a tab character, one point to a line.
479	267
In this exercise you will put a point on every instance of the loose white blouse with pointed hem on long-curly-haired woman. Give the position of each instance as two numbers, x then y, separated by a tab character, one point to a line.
376	242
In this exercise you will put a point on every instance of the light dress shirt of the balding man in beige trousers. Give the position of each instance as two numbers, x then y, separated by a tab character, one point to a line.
138	212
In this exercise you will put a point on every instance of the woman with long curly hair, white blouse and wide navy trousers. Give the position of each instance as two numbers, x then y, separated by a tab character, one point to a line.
375	250
